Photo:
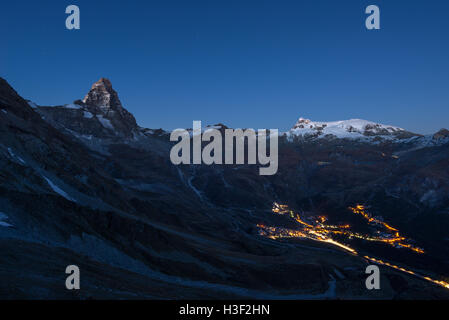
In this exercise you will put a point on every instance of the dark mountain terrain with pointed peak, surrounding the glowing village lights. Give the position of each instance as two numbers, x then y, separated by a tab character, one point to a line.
83	184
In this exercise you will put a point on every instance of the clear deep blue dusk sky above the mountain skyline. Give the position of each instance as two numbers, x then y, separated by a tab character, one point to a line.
245	63
